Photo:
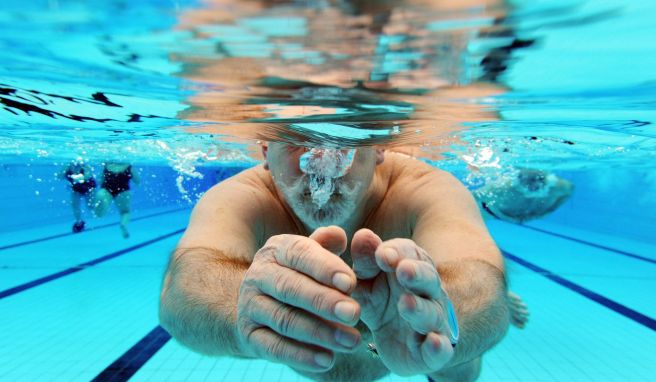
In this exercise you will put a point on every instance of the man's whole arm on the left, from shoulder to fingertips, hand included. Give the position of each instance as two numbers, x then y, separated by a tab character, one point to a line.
285	301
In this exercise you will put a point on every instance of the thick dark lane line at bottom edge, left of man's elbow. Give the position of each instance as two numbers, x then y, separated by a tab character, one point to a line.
132	360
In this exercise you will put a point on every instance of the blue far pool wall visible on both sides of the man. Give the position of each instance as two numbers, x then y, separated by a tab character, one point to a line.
617	202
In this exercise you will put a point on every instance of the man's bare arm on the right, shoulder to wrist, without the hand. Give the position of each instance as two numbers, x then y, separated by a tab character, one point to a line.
470	266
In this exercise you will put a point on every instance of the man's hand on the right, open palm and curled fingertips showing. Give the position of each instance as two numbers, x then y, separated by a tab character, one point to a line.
402	302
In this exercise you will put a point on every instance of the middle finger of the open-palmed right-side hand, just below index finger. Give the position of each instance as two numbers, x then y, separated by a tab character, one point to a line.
420	278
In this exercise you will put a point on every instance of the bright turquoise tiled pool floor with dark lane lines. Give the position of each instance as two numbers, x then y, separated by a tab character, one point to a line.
83	307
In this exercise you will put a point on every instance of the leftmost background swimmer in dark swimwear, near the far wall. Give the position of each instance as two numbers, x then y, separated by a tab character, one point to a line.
80	177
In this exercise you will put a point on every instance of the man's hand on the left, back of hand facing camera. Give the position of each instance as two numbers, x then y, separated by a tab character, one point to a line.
294	305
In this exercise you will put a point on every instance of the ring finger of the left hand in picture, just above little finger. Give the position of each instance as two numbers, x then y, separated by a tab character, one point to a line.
302	326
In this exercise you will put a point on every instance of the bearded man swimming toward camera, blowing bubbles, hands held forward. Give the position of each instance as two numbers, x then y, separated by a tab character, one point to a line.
321	256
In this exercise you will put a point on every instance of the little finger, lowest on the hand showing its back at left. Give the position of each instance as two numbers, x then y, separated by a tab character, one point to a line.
271	346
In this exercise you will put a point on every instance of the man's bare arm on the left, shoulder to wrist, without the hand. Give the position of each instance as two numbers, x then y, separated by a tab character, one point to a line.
201	286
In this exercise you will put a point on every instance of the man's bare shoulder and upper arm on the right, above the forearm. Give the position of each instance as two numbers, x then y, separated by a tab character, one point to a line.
439	212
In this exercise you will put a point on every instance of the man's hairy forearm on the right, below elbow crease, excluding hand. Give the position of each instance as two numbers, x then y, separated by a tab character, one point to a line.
477	290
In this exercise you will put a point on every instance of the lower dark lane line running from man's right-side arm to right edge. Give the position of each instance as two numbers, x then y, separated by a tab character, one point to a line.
608	303
